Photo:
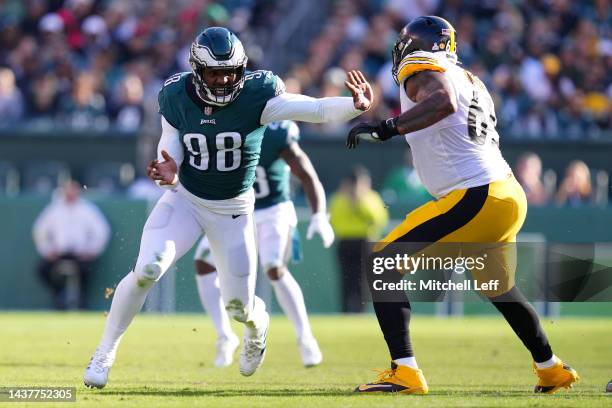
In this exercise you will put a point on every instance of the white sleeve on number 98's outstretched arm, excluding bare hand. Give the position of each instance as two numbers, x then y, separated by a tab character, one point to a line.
304	108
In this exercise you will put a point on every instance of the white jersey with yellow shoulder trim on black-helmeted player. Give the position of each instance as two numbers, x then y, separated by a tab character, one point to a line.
461	150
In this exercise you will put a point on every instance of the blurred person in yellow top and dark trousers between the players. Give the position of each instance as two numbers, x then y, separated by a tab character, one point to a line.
358	215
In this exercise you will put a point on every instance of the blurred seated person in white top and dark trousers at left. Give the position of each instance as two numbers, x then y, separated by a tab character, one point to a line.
69	234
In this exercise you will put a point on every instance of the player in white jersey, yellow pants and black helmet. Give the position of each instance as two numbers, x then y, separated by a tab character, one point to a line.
448	119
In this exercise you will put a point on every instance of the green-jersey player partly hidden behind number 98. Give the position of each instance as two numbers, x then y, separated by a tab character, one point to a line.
275	220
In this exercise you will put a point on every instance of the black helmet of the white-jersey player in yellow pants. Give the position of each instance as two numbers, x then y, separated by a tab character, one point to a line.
426	33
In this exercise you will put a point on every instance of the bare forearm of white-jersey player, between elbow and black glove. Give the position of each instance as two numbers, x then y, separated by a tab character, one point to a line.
429	111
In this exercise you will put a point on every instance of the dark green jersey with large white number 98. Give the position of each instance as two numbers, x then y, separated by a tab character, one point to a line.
221	143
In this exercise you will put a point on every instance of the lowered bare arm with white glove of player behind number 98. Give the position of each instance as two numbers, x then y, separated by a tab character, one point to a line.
302	168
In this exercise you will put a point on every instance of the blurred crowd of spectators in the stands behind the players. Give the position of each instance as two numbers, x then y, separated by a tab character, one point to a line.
100	63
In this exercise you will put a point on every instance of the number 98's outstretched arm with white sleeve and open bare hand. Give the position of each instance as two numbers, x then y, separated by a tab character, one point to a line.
304	108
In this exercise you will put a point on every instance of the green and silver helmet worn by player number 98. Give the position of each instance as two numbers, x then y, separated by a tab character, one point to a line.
217	48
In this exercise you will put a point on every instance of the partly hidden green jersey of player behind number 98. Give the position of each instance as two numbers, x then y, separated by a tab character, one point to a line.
272	182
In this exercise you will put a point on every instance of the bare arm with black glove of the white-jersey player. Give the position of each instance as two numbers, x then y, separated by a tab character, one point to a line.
435	98
